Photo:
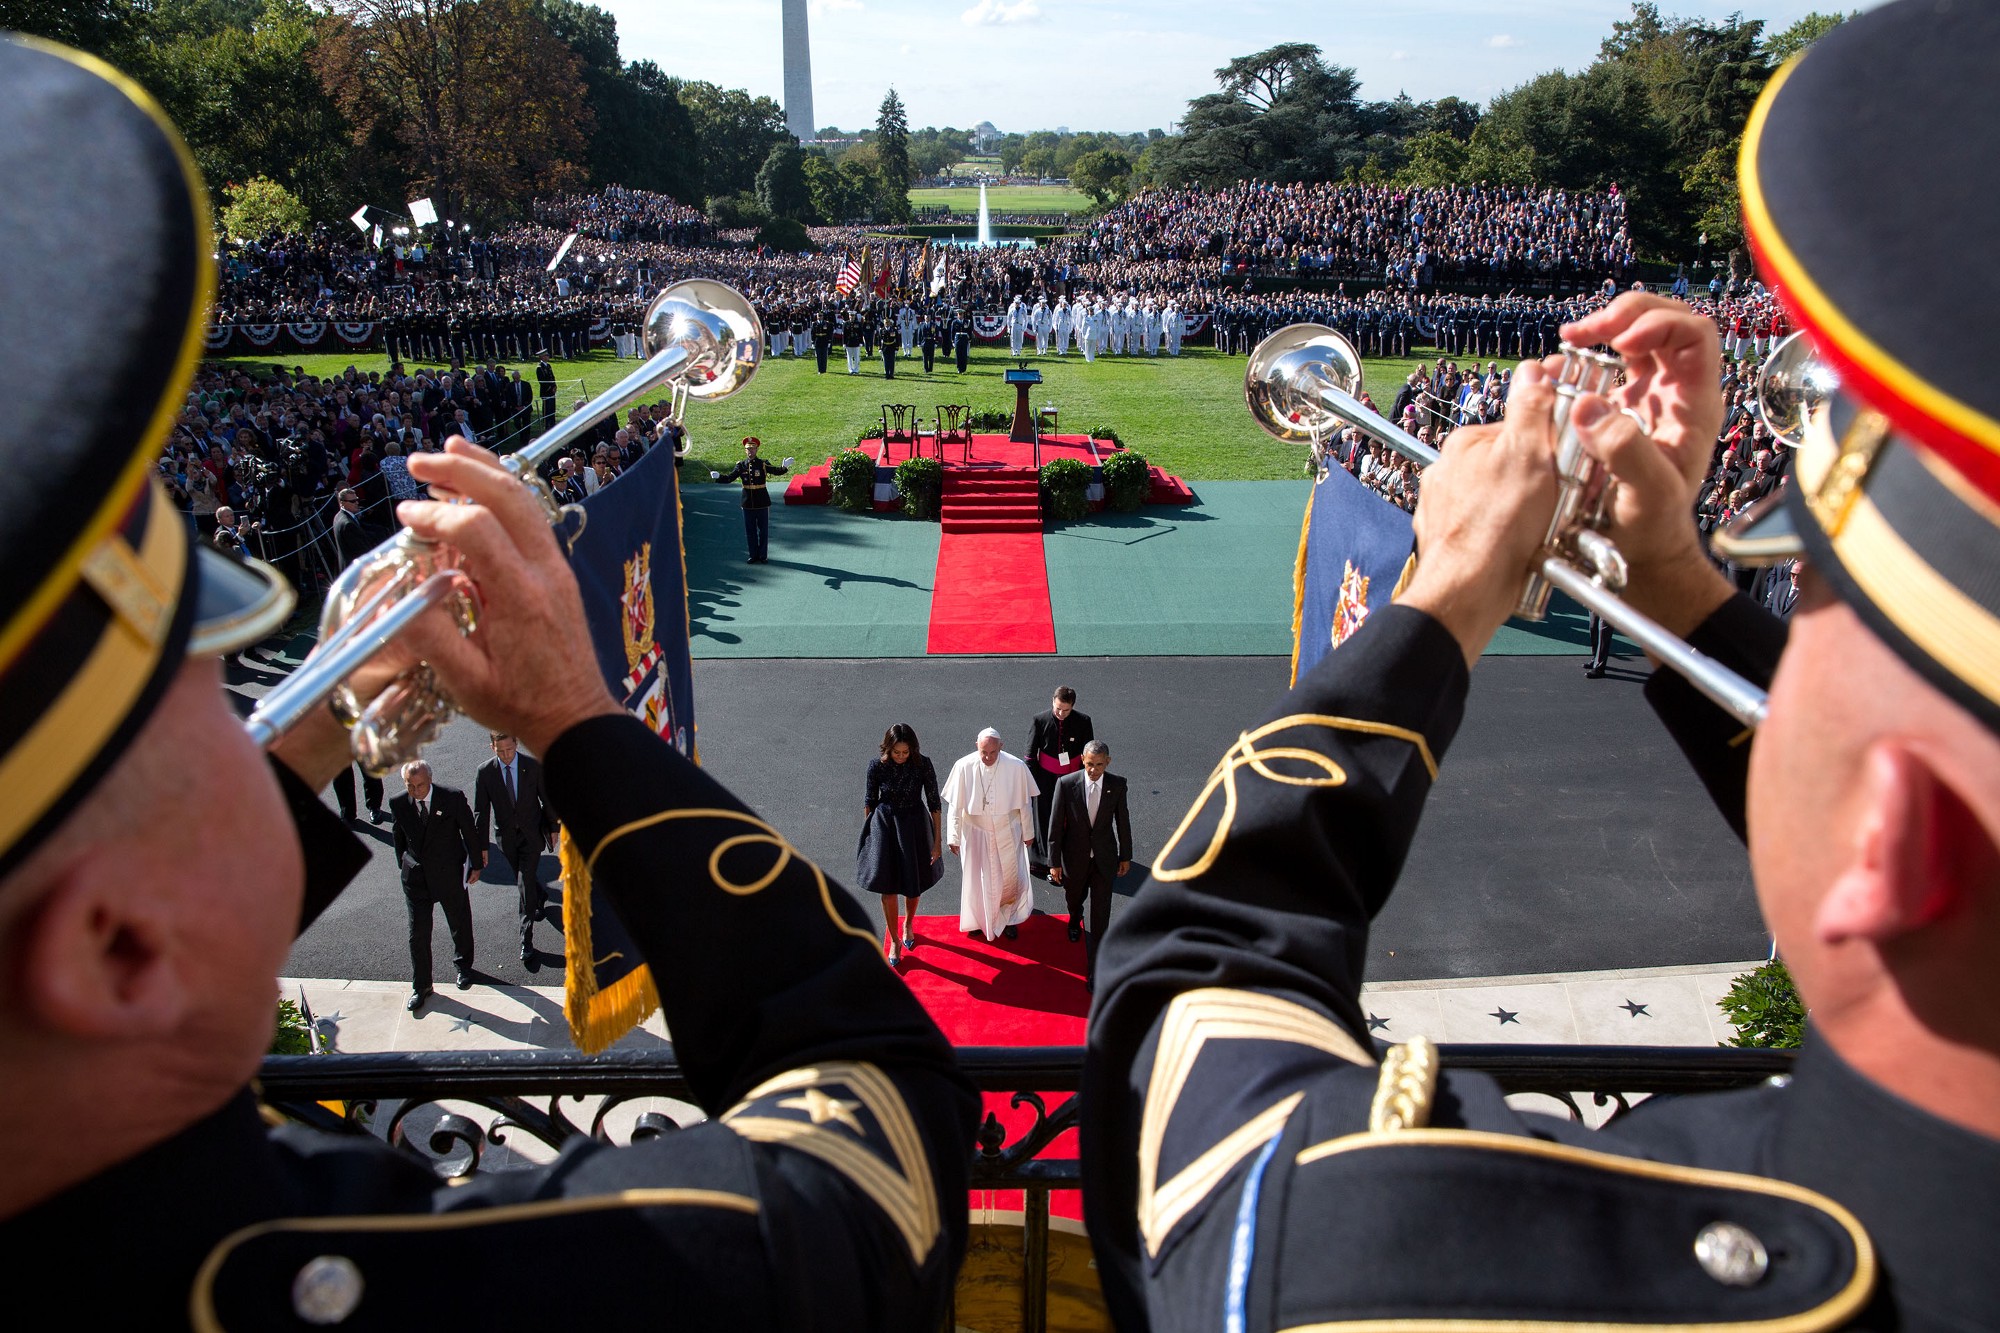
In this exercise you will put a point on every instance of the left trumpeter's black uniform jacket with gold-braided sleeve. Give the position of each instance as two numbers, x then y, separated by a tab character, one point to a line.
827	1192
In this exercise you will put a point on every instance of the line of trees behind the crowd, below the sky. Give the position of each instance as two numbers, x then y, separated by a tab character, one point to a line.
303	111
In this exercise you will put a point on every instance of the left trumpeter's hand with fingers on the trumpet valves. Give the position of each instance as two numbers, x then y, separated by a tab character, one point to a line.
531	668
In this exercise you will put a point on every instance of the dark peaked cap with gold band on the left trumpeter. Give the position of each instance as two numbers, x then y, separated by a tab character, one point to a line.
103	305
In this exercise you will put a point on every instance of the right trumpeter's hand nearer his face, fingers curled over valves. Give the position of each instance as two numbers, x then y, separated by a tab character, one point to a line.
1657	439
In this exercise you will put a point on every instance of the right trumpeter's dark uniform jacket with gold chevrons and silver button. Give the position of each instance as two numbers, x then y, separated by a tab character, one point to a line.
1253	1162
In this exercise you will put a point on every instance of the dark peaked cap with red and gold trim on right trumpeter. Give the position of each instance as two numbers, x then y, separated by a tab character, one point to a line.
1869	195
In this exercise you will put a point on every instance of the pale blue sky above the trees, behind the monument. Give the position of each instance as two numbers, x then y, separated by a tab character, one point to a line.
1123	65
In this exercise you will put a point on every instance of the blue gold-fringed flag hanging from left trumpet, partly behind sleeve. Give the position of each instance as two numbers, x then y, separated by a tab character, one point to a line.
631	571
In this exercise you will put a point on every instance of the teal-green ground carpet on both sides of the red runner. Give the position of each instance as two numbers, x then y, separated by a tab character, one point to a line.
1199	579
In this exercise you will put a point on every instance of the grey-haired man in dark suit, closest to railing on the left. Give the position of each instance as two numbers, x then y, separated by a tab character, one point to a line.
439	854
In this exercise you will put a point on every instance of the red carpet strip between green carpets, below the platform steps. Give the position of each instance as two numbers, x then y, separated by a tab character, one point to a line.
991	595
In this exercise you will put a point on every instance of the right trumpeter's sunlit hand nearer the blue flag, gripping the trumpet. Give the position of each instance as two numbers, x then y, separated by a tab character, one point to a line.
1481	515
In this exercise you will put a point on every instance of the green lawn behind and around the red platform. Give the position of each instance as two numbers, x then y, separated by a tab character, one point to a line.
1187	415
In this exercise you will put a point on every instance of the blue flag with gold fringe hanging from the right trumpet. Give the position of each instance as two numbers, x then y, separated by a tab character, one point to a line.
1355	551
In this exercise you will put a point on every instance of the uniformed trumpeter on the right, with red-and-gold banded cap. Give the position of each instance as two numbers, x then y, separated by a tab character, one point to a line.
1249	1152
